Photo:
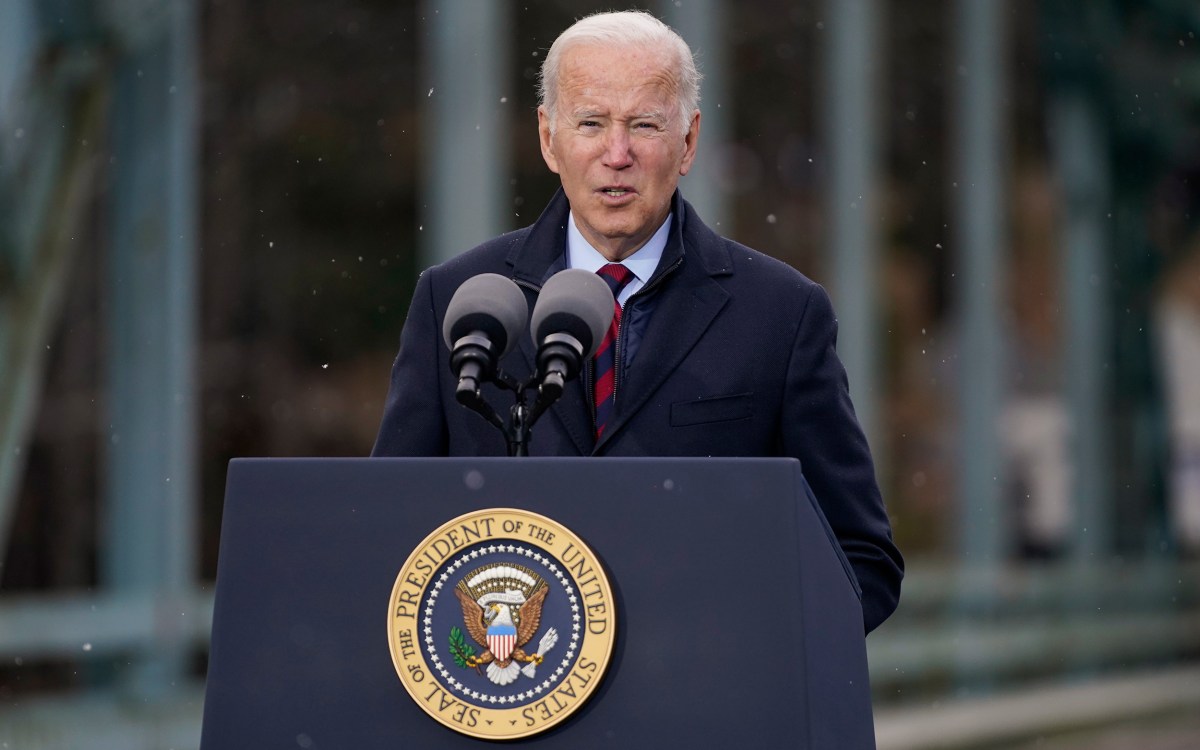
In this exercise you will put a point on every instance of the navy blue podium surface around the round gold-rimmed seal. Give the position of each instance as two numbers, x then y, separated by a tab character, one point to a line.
739	621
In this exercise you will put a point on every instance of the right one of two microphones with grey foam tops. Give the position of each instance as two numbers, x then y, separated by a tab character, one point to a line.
568	325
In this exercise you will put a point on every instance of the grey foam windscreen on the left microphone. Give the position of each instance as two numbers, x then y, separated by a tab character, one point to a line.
491	304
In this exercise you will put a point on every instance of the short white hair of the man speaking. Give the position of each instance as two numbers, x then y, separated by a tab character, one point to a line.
625	29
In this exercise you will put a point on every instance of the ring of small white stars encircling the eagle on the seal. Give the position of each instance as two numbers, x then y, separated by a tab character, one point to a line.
436	659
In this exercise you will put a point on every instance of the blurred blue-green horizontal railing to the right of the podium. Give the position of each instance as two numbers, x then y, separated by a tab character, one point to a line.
988	633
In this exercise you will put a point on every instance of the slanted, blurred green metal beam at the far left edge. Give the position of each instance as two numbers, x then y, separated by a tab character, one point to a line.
46	182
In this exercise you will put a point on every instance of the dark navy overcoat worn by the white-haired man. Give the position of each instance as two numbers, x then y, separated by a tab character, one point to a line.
736	358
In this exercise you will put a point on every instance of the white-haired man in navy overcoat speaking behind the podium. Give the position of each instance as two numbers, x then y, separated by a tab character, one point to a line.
719	351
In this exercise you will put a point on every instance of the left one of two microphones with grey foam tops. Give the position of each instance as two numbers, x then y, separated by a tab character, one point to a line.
483	322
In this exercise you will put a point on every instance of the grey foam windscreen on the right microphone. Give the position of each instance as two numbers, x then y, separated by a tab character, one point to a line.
574	302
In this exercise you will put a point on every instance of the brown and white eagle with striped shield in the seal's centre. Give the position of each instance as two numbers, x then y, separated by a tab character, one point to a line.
502	611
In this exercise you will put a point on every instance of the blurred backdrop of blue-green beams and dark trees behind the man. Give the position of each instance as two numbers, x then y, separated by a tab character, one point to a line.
213	214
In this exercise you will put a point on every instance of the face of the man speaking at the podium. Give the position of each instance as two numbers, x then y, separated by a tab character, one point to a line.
617	145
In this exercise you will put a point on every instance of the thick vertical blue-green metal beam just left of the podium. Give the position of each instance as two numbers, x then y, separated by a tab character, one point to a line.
152	437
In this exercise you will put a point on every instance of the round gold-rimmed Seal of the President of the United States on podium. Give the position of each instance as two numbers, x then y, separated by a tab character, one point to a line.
501	625
